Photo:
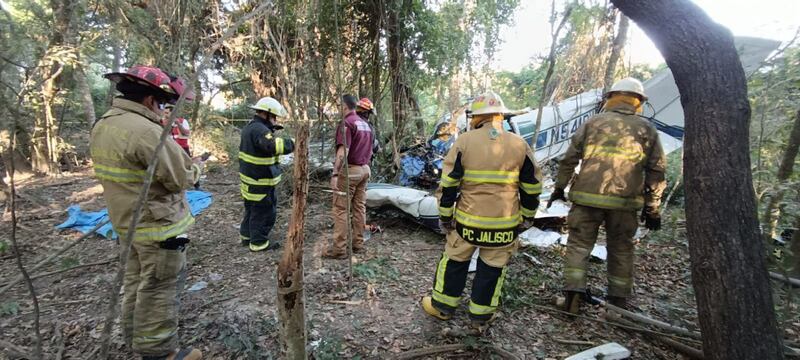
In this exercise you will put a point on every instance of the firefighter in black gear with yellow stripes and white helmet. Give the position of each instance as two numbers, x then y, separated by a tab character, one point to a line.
260	172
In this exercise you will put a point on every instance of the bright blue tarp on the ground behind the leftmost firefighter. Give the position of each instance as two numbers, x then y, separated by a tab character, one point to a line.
84	221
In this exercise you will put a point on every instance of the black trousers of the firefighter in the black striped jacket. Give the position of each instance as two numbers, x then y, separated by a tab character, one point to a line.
259	218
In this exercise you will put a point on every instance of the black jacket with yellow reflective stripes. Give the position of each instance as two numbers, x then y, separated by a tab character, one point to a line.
259	165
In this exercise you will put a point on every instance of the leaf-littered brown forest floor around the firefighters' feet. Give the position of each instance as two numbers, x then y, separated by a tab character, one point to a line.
377	315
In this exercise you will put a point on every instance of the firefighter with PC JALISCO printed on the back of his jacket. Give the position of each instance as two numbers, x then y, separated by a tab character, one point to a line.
489	191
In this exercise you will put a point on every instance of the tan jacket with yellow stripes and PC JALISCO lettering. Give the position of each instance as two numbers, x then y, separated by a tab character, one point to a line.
489	184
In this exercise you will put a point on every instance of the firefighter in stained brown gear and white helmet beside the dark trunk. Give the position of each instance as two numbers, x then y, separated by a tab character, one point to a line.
622	170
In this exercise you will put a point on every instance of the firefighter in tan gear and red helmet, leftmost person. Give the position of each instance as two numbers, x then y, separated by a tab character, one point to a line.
122	145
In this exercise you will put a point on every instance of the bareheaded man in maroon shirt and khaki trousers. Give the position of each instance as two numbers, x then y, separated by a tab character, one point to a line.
353	143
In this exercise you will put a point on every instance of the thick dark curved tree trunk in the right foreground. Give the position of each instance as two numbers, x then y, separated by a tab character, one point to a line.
729	276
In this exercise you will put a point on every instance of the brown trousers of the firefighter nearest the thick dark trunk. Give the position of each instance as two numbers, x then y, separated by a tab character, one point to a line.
584	223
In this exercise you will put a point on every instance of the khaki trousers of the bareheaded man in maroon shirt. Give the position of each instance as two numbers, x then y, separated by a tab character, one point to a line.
359	176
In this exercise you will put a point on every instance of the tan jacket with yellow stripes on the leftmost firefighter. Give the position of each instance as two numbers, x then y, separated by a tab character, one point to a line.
122	143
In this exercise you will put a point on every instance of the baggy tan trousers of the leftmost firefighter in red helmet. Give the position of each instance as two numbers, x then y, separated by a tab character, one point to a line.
154	278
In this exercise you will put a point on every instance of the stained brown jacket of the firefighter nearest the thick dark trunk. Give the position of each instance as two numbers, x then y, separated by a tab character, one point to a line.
622	166
